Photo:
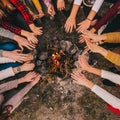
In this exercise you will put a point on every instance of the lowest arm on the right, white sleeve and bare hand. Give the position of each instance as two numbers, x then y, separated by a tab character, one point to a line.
106	96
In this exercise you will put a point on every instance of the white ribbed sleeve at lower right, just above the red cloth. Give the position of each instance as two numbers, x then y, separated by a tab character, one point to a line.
106	96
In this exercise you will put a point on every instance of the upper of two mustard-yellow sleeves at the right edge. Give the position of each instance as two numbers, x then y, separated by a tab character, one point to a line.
113	37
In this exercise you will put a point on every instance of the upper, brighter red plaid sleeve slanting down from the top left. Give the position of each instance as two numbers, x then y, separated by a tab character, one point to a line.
23	10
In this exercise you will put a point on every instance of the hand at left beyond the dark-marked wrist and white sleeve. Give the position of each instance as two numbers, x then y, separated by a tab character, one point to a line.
27	66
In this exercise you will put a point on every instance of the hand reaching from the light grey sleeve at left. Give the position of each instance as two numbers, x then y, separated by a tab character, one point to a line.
23	42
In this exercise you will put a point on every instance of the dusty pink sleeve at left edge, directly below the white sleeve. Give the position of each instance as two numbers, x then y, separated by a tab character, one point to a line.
8	86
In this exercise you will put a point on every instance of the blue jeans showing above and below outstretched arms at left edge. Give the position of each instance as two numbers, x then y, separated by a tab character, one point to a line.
9	46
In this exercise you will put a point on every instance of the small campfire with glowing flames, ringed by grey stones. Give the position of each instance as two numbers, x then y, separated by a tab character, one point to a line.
57	61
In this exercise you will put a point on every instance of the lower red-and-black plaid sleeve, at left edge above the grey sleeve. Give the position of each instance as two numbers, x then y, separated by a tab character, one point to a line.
10	27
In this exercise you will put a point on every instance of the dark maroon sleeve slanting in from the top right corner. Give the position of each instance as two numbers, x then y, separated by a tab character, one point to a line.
112	11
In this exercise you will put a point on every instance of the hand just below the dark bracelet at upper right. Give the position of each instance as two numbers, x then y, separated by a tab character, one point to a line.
84	25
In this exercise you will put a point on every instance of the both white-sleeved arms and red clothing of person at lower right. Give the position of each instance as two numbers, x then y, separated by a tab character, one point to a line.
113	103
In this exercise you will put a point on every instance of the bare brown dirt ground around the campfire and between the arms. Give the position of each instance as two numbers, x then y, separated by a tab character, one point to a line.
63	100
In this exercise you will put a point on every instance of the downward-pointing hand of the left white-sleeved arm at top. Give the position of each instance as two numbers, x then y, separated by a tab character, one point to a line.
70	24
